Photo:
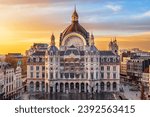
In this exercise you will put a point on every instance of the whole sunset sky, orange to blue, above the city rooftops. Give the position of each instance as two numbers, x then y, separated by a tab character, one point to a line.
23	22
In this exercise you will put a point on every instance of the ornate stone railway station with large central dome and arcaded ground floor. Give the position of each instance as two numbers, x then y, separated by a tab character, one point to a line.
76	66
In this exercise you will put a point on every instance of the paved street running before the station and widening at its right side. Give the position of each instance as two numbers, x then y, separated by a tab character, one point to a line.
130	92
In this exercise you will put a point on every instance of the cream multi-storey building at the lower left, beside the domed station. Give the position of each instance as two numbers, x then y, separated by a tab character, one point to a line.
12	81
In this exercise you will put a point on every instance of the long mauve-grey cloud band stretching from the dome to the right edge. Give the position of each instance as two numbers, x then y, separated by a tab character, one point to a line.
124	26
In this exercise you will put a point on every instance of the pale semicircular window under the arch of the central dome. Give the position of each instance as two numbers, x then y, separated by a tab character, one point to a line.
74	40
